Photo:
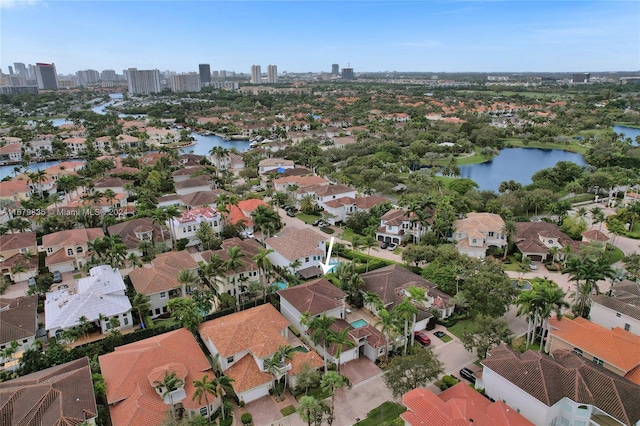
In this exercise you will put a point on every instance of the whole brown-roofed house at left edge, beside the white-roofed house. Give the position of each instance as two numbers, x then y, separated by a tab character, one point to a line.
18	323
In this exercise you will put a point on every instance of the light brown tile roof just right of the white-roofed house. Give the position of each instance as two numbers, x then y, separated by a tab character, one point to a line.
163	274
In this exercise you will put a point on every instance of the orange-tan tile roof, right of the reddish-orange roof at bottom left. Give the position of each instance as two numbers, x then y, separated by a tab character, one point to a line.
256	330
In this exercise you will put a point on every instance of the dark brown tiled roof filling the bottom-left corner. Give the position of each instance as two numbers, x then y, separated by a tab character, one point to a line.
60	395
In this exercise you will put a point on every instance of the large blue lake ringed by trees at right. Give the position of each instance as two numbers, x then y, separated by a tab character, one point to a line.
518	164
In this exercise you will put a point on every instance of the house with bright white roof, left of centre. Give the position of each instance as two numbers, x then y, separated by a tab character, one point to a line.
100	295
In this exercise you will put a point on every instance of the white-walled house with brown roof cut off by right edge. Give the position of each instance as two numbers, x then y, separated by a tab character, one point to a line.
621	308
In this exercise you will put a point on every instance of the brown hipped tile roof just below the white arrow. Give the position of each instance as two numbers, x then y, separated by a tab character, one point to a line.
314	297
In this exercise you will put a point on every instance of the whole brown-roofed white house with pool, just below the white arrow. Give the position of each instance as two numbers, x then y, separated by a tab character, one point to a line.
321	297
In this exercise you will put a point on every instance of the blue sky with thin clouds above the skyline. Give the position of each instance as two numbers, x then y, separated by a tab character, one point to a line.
300	36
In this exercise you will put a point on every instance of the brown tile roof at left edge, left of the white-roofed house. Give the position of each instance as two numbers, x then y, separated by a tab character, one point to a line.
18	318
